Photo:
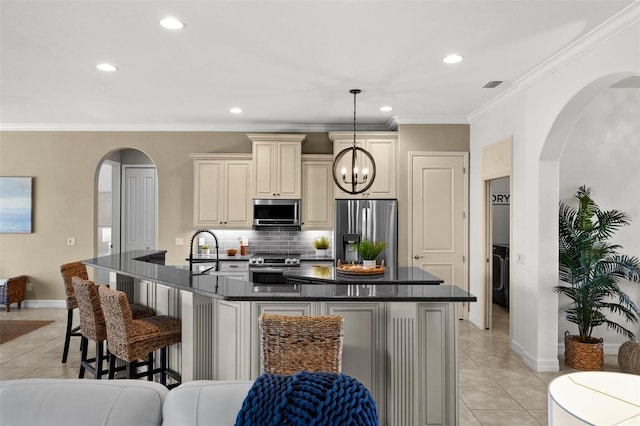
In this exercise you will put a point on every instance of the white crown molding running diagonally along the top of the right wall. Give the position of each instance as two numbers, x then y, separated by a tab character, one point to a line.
624	19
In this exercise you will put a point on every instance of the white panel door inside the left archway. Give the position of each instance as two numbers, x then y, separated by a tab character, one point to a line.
139	208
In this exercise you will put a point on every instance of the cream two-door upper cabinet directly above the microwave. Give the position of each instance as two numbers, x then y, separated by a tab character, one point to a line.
277	165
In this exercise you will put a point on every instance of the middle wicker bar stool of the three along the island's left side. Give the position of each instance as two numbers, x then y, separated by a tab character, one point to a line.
92	326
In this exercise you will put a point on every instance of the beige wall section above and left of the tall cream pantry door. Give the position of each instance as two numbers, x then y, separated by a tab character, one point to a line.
422	137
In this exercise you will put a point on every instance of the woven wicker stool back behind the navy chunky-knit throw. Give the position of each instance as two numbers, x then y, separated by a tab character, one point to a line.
299	343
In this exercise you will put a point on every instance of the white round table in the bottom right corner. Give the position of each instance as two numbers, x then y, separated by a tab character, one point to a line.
594	397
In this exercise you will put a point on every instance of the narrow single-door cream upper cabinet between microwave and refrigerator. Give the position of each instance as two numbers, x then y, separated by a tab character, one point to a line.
317	192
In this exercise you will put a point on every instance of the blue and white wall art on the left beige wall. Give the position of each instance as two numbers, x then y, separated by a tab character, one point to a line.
16	205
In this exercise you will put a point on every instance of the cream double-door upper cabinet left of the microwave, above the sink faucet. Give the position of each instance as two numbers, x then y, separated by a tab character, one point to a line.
222	190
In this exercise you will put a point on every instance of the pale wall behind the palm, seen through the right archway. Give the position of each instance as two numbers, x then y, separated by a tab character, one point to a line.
603	152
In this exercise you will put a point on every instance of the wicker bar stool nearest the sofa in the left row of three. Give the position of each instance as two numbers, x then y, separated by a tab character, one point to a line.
135	339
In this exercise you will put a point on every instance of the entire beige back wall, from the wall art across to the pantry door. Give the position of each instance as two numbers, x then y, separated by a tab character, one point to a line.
64	166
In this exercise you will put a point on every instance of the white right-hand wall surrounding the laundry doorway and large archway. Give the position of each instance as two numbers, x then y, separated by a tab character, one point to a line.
540	113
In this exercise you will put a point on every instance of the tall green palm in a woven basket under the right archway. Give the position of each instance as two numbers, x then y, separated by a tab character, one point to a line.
590	270
